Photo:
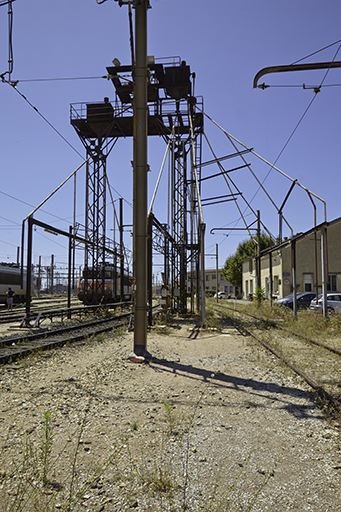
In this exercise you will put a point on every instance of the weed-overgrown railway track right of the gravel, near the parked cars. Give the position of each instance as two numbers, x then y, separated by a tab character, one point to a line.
315	362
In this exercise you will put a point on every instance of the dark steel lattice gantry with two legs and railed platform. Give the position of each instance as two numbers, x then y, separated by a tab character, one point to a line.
172	115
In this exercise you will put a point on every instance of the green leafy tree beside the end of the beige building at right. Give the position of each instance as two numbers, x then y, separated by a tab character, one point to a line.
232	270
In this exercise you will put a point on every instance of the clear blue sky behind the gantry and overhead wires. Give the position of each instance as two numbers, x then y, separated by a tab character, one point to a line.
225	42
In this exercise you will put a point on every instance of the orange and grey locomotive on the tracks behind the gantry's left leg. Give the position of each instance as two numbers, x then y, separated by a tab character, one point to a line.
89	288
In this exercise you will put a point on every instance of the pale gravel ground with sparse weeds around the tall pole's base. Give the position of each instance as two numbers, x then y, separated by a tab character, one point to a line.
213	423
